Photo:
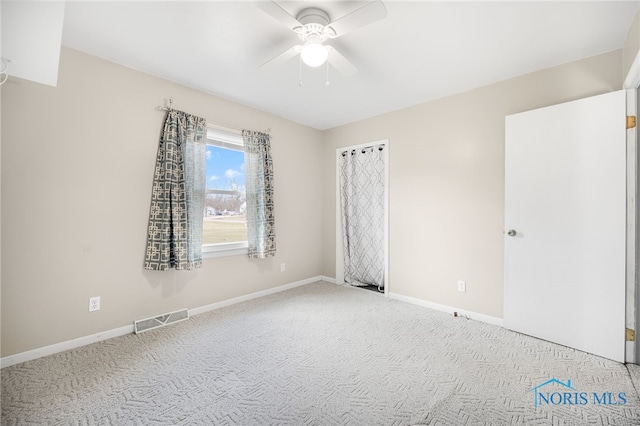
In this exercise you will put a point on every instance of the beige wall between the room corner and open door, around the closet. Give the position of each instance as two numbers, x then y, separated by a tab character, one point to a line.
447	181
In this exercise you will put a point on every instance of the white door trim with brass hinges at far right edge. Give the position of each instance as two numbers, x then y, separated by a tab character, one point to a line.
632	316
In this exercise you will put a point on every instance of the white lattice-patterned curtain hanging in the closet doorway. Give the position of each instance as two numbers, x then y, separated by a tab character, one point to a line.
362	191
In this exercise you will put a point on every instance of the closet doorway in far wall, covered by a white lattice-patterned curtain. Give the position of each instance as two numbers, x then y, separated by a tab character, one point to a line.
362	216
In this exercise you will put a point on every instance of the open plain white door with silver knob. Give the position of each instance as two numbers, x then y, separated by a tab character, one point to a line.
565	209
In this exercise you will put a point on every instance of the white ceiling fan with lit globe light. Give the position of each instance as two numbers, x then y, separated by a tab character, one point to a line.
314	27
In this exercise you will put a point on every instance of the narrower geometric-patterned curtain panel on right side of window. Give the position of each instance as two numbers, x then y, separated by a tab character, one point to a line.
261	230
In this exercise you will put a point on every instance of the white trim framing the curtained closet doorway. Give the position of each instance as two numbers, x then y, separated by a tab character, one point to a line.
339	248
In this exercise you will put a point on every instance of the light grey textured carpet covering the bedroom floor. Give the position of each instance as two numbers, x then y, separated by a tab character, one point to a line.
321	354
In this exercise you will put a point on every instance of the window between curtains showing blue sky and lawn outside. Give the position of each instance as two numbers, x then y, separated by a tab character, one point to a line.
225	219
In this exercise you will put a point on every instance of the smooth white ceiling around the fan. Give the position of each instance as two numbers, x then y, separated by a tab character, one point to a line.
422	50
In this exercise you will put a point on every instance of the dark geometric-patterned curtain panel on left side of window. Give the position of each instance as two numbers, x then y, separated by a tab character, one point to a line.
174	238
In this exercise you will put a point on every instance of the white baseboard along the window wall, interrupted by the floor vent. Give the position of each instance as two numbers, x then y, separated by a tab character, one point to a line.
121	331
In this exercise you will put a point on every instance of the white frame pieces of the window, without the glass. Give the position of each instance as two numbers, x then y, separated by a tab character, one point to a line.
228	140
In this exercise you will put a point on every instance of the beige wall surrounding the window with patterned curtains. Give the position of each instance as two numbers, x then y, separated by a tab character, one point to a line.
77	167
